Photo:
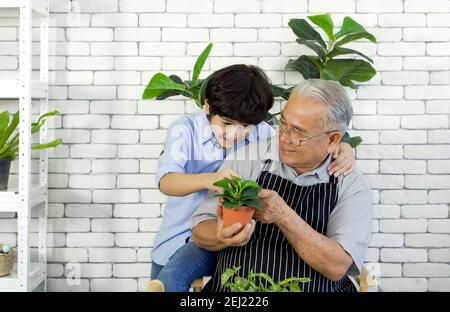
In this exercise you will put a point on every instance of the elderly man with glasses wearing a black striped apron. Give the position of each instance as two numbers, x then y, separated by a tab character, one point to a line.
312	224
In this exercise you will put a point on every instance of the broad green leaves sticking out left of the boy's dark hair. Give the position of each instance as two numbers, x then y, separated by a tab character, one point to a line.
162	87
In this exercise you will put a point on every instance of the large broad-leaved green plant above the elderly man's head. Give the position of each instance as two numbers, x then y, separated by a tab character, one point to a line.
327	62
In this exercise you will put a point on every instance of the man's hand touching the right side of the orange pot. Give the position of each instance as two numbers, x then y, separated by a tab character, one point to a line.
274	207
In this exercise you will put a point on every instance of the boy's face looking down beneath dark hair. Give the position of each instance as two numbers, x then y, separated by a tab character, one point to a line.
227	132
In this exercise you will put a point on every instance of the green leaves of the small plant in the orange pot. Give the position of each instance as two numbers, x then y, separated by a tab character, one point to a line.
237	193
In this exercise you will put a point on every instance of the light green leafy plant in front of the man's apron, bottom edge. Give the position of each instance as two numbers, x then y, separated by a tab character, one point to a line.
259	282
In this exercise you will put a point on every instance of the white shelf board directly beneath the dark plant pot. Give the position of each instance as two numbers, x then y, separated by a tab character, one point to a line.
10	200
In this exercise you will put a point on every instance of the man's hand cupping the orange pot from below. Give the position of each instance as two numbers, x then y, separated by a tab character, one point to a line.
233	235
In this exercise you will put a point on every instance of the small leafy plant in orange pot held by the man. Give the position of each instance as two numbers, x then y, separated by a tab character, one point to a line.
239	198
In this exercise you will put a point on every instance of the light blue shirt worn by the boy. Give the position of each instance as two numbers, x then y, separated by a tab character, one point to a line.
190	148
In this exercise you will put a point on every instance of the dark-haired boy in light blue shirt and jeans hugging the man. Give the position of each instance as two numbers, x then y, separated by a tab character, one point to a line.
238	98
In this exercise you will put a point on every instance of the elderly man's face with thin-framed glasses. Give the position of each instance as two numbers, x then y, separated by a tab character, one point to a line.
303	118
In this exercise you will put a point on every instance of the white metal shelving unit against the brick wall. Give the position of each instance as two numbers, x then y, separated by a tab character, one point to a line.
28	275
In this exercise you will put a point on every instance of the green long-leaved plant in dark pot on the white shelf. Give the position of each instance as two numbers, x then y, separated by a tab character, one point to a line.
9	144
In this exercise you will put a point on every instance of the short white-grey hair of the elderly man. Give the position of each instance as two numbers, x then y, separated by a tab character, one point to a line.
332	94
